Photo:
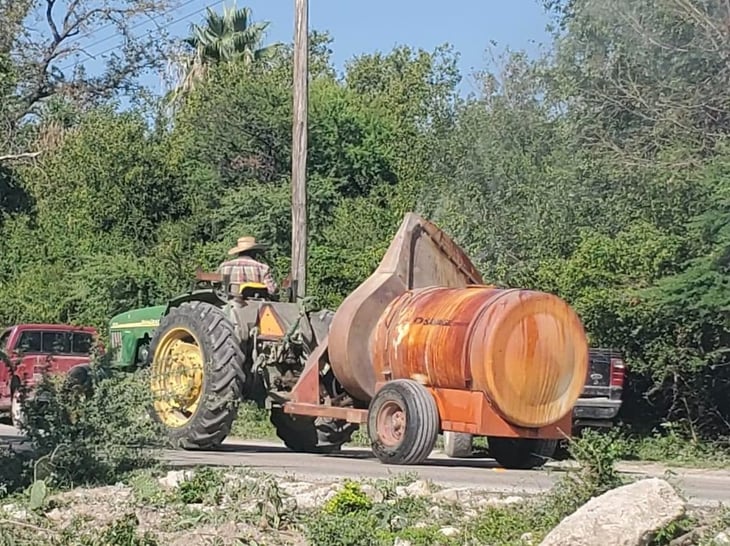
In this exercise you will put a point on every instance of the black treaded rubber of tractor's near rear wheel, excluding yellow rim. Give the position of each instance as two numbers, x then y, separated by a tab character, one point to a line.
224	381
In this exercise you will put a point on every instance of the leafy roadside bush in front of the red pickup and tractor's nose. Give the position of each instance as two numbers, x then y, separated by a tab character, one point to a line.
90	430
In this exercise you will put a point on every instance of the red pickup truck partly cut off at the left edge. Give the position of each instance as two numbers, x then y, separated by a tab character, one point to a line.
35	349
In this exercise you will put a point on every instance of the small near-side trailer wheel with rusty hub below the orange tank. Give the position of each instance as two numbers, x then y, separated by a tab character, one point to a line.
403	422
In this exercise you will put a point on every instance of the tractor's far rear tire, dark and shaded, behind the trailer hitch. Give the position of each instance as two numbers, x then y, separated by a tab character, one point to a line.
304	434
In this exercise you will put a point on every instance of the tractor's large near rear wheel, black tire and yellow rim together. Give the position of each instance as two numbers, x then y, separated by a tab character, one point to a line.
197	375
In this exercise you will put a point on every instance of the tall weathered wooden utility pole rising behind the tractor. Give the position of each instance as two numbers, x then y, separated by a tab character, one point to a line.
299	149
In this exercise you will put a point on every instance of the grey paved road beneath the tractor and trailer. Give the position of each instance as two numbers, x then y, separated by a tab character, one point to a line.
701	487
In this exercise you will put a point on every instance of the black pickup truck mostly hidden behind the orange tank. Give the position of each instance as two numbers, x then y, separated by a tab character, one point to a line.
597	407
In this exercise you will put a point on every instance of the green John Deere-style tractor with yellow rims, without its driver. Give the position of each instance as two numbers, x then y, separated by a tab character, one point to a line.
220	344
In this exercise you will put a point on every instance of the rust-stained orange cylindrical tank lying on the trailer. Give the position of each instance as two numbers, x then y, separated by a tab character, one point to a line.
526	351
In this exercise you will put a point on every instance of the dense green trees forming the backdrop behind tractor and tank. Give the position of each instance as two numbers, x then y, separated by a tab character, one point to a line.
600	171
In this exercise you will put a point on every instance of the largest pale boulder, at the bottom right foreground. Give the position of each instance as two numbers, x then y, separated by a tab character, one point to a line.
625	516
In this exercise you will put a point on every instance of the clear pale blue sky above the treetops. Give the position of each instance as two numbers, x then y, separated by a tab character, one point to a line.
379	25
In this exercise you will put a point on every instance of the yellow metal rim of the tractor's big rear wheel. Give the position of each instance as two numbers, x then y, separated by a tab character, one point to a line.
177	376
